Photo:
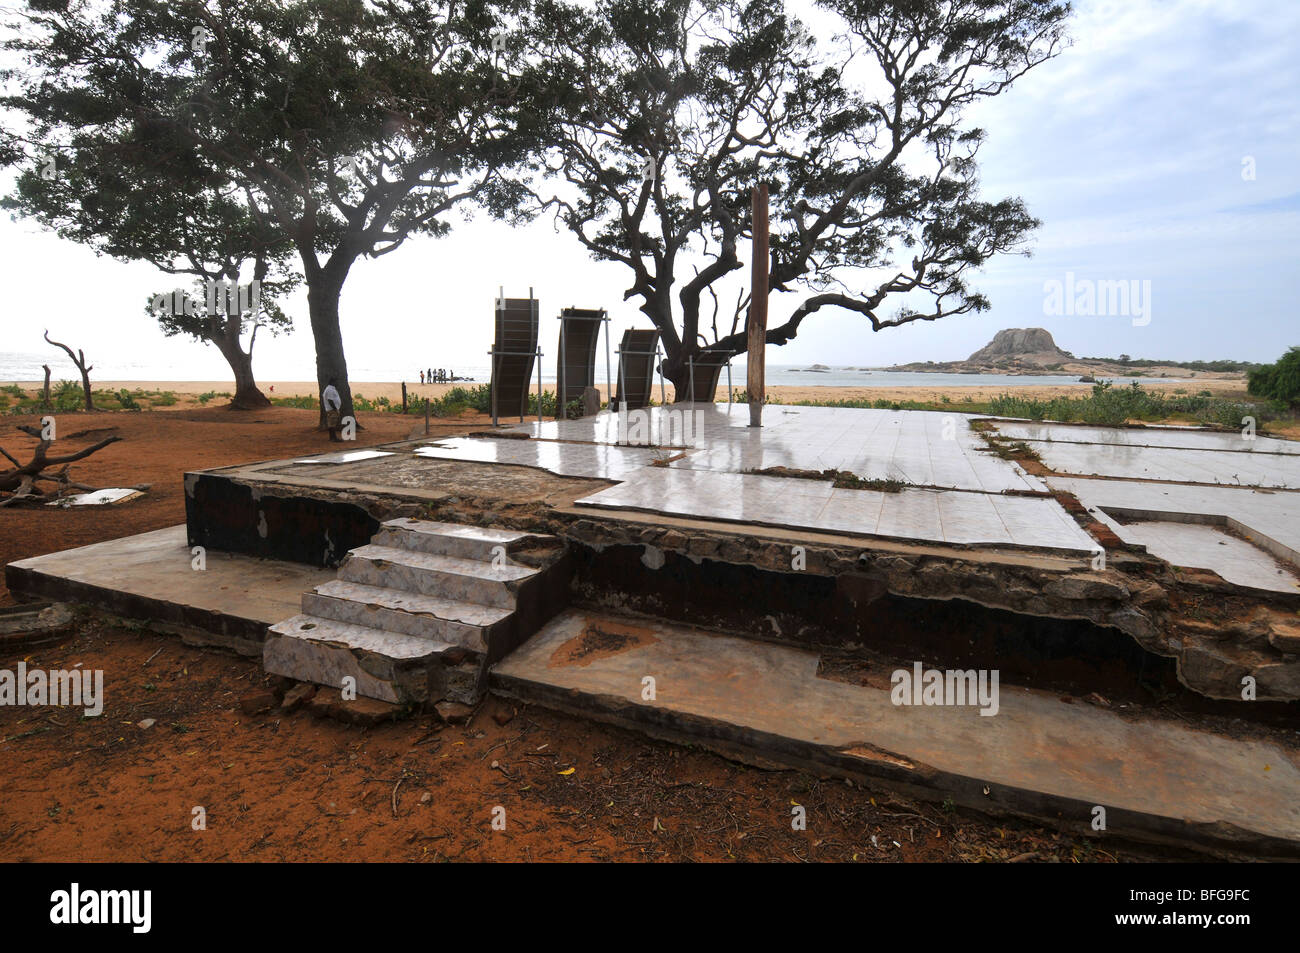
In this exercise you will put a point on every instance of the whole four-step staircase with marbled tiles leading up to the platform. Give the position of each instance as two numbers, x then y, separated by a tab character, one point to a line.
419	613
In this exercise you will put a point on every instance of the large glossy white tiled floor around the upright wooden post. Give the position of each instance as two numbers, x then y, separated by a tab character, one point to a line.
716	450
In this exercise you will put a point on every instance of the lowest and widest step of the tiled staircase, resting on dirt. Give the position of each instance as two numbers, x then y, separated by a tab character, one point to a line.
388	666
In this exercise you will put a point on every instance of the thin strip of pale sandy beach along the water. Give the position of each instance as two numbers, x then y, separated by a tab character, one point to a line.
1219	385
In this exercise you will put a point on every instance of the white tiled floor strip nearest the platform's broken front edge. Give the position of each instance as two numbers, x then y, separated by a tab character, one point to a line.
912	514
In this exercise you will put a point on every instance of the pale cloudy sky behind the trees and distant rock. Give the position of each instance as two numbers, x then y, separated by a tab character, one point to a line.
1160	150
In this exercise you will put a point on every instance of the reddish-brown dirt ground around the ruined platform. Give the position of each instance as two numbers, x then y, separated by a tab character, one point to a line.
294	787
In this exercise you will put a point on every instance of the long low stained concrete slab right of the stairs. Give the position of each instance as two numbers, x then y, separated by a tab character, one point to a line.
1034	755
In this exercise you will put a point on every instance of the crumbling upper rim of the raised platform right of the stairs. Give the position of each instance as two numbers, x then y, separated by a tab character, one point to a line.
1133	595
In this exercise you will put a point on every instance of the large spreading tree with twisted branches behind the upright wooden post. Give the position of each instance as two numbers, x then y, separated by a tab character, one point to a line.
677	109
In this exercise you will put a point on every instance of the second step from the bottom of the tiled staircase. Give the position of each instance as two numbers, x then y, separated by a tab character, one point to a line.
469	625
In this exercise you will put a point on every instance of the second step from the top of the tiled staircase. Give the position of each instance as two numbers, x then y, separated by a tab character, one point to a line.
452	578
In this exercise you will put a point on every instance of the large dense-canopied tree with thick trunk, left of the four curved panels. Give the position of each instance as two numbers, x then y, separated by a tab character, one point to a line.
345	127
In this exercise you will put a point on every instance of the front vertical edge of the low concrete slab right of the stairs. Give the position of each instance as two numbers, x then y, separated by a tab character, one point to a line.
900	774
